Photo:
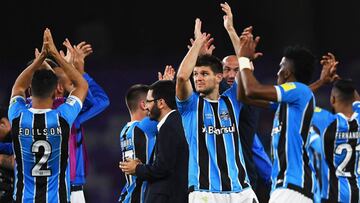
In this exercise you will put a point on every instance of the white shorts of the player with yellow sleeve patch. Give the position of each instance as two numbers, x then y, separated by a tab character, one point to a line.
285	195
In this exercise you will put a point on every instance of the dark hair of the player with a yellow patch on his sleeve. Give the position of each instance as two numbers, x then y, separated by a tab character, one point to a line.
303	62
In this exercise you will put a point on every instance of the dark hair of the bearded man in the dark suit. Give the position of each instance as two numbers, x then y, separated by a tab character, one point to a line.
164	89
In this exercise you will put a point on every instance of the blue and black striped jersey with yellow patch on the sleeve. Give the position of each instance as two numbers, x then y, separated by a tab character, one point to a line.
291	169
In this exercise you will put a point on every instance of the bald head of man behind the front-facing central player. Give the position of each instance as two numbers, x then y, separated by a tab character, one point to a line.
230	68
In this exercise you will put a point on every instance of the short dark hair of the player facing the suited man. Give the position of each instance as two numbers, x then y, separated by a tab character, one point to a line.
134	94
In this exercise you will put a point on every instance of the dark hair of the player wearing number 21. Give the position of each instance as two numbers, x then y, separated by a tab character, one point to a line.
345	89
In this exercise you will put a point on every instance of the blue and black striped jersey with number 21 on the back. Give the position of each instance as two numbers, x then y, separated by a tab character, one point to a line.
340	138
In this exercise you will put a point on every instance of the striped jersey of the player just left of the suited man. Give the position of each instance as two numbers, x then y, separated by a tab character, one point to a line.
137	140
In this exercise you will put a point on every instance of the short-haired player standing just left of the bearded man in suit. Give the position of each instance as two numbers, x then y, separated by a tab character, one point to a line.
137	140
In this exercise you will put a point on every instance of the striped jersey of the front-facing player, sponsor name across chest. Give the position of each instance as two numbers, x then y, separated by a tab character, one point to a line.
216	162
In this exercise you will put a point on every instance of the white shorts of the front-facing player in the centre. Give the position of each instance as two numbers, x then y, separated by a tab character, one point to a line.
246	196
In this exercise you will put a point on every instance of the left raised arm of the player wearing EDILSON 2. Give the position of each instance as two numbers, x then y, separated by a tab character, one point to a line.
23	81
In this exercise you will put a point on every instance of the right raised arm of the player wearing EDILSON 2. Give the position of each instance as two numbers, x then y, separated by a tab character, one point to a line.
76	78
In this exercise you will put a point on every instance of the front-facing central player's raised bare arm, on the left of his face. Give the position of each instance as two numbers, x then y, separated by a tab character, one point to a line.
183	84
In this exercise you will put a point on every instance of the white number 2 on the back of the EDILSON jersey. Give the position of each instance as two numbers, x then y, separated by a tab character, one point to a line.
37	171
